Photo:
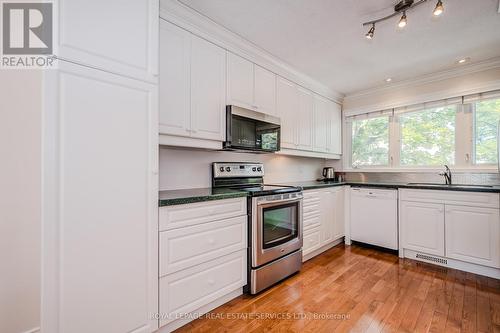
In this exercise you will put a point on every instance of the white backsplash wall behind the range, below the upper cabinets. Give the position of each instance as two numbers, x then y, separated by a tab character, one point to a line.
184	168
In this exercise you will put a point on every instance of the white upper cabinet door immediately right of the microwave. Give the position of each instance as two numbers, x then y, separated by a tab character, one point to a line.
287	106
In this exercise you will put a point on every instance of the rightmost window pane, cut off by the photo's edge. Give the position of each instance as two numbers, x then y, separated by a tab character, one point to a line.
486	118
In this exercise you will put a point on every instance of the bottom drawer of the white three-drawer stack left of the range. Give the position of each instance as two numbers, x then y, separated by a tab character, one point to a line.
188	290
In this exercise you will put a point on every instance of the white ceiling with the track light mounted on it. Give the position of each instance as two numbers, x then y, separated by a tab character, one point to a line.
325	38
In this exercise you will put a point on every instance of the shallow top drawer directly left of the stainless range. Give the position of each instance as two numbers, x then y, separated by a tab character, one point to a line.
177	216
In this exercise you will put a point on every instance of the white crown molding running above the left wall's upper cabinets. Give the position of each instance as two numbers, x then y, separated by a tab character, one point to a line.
189	19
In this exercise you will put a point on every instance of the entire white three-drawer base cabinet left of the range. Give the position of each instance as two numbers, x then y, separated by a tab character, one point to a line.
203	258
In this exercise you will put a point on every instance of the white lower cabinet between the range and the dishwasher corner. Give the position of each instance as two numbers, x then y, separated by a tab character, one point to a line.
323	222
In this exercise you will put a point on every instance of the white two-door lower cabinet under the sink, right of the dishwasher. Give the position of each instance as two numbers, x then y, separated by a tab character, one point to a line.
461	228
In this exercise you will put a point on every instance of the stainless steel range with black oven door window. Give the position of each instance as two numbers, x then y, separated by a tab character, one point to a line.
274	223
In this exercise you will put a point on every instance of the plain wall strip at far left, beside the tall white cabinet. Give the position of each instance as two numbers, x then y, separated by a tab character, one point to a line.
20	200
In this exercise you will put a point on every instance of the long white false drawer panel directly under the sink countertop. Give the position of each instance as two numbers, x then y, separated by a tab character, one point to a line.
476	199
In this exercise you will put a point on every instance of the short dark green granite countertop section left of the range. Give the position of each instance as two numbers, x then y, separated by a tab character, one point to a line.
178	197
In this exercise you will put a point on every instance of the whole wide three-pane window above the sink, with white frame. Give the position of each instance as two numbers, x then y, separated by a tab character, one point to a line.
462	132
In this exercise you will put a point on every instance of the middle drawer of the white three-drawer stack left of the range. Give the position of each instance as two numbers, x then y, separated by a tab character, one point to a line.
189	246
